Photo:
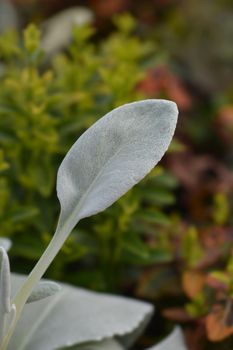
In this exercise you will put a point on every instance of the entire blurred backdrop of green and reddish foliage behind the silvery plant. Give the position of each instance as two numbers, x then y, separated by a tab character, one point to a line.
63	65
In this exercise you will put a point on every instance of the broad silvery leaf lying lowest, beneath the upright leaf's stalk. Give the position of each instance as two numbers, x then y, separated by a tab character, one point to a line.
75	316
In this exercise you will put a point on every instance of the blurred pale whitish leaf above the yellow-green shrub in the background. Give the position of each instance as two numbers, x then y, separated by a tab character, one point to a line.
58	28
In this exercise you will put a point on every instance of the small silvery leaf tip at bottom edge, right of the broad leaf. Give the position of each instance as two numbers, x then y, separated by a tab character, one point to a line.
175	341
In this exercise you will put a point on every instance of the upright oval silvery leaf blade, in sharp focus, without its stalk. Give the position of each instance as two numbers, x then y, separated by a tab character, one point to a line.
112	156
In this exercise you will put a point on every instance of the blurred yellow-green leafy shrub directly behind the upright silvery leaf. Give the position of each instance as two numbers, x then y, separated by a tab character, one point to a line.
43	109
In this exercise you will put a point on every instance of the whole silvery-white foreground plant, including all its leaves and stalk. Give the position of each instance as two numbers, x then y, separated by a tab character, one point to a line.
103	164
